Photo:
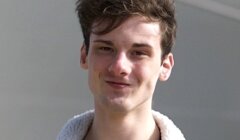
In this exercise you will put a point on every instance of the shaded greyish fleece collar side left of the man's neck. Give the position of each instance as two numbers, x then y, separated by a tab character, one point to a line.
76	127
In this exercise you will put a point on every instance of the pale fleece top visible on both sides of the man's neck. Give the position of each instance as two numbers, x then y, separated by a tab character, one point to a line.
77	127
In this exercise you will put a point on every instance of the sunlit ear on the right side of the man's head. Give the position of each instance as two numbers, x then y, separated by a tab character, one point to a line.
166	67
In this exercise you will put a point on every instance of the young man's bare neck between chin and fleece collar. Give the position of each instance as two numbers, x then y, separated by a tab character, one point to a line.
131	126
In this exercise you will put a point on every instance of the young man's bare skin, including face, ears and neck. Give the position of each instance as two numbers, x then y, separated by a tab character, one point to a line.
124	66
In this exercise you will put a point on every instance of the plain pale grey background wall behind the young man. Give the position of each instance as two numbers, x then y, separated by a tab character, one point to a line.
41	84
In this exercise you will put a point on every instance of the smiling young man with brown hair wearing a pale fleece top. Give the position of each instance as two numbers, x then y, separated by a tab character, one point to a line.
126	50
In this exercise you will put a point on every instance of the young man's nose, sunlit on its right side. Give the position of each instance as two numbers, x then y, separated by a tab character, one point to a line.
120	65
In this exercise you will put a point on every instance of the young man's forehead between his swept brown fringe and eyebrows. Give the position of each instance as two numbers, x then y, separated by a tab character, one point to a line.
136	28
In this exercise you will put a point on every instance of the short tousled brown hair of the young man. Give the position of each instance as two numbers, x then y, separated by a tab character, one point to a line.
114	12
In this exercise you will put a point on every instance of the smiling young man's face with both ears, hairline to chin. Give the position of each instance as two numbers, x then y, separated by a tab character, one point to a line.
125	64
